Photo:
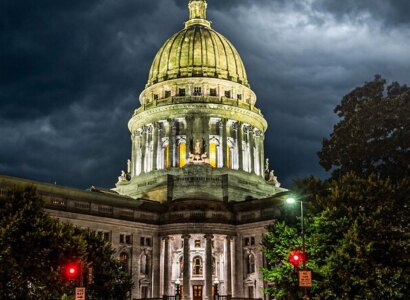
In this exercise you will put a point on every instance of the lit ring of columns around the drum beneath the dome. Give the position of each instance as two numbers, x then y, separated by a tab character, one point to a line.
170	143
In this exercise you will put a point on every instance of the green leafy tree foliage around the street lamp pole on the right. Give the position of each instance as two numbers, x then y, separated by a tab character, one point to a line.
358	244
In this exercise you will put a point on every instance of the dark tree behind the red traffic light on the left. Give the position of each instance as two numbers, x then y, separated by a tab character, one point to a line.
34	247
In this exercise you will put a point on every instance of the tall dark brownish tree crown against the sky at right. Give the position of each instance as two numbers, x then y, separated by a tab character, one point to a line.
373	133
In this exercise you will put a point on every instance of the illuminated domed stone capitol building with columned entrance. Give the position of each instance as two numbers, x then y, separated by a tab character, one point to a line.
195	197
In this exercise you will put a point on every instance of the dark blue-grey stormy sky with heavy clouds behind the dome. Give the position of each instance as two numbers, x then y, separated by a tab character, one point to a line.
71	73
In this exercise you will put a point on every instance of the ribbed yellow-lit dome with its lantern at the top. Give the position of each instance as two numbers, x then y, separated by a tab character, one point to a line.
197	51
